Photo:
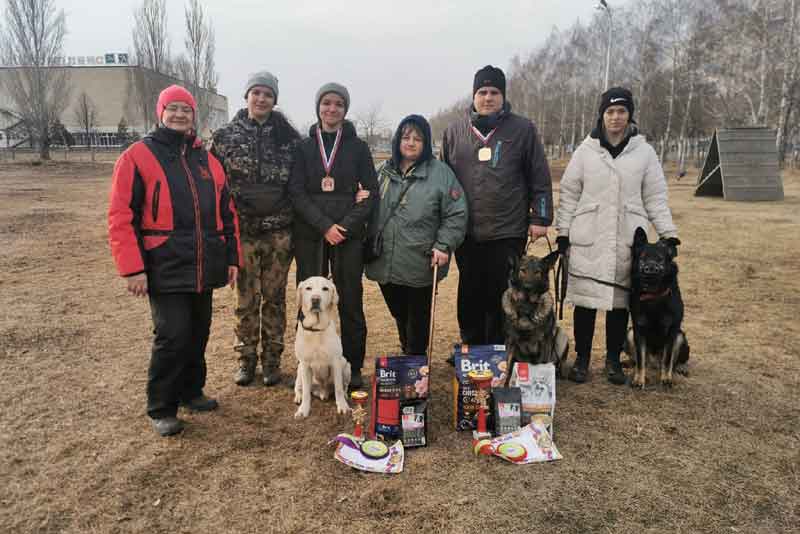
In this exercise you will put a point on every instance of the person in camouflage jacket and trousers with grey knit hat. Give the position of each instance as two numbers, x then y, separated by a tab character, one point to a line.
257	150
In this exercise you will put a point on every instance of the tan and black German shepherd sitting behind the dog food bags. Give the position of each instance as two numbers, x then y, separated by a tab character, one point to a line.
532	334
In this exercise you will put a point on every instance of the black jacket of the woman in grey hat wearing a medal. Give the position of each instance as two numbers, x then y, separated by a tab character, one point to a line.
316	211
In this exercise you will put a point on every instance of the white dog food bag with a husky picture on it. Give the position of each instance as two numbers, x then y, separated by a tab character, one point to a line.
537	383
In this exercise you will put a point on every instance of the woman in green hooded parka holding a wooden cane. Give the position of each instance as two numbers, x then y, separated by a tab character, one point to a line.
426	226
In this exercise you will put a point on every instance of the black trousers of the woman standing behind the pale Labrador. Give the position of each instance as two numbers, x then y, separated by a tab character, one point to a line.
345	262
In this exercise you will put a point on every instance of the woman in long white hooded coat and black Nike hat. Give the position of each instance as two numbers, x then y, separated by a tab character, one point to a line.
613	184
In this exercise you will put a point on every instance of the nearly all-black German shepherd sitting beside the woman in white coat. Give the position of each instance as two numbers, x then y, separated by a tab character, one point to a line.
656	309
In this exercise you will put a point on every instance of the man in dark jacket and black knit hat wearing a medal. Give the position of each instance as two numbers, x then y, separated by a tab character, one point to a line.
500	162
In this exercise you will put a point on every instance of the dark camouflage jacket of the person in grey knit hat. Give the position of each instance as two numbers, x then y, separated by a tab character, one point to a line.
258	159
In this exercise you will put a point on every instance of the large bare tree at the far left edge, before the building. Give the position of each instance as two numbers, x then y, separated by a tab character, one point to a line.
31	41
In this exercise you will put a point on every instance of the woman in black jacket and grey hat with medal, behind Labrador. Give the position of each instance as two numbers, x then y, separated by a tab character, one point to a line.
331	167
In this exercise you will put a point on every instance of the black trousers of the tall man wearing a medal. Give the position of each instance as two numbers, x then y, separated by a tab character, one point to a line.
483	277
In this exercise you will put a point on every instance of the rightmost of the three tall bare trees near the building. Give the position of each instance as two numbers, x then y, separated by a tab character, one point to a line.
197	67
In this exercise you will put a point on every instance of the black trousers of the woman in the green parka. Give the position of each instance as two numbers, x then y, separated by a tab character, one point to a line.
411	309
